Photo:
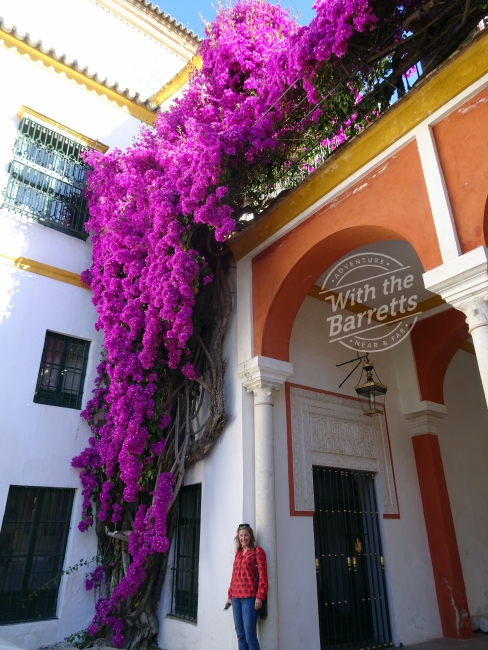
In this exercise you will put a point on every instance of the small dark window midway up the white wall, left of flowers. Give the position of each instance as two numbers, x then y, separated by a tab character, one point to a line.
62	372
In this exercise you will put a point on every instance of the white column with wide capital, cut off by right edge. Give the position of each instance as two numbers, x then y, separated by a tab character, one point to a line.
463	283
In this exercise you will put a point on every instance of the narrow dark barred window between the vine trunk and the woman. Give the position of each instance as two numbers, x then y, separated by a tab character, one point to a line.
187	551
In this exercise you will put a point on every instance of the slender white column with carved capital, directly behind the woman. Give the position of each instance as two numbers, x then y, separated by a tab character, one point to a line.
262	376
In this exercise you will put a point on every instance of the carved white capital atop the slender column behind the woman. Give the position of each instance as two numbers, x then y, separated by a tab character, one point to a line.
263	375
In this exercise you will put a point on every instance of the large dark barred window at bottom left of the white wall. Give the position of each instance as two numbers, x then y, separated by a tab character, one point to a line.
32	546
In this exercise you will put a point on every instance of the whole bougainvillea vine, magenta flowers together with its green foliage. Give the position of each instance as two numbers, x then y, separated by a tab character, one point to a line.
156	211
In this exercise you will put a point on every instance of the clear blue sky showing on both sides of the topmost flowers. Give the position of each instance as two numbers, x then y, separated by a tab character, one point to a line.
188	12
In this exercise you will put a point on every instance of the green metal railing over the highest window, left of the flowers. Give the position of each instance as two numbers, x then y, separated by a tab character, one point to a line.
47	178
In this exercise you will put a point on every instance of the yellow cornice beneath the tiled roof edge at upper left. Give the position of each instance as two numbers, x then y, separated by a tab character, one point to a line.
139	111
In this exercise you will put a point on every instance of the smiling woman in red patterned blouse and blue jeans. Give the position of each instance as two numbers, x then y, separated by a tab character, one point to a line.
248	587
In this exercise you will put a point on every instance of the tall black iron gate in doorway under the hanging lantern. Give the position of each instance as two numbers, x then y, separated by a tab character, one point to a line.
351	589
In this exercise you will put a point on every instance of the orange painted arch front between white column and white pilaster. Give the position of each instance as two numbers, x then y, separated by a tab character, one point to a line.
389	203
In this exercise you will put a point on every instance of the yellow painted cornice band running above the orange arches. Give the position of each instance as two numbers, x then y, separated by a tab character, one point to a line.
454	77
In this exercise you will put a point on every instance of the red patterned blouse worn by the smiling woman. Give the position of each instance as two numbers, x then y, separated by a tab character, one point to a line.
243	583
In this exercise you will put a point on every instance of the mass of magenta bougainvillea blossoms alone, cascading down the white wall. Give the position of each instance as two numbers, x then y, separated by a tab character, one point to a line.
145	204
